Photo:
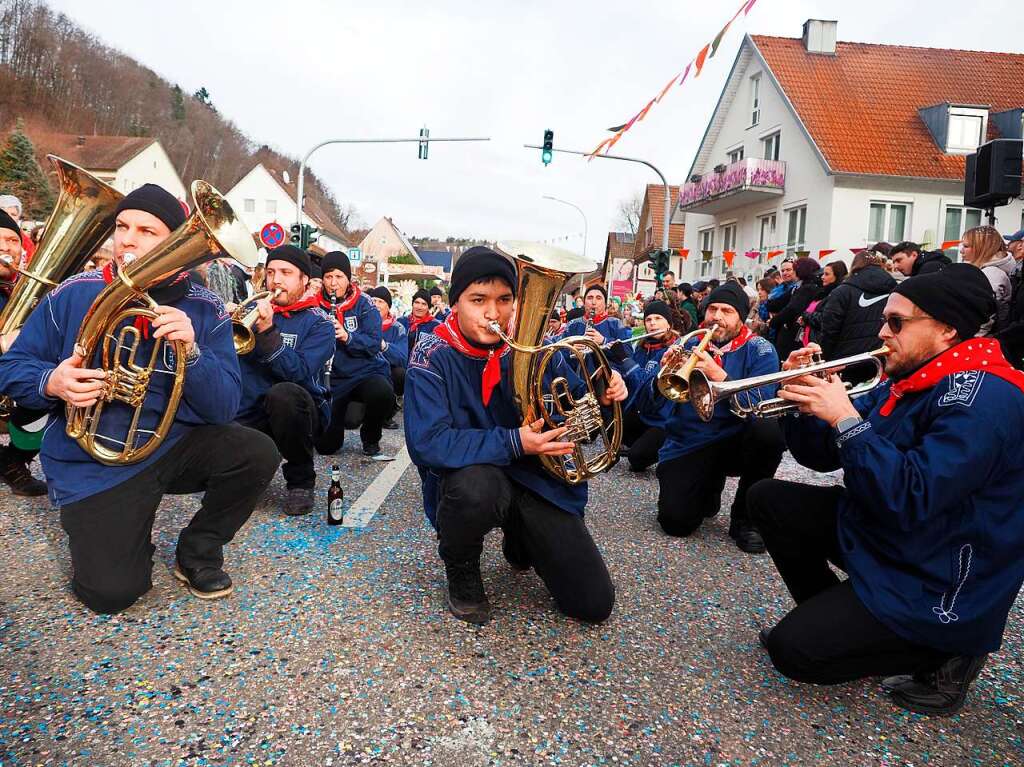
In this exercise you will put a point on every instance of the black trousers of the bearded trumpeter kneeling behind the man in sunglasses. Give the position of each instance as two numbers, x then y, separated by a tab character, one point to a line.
692	486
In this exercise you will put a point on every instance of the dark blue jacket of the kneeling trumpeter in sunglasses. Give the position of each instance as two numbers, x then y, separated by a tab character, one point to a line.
930	527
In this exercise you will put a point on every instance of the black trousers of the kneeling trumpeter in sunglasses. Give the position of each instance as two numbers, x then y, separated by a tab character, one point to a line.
830	637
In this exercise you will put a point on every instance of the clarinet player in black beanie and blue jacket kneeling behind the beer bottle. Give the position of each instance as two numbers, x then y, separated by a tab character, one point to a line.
359	371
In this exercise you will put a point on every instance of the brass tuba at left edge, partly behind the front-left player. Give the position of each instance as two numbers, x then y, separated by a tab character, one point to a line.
82	220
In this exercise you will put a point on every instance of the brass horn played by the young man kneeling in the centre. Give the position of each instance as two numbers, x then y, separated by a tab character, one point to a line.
543	272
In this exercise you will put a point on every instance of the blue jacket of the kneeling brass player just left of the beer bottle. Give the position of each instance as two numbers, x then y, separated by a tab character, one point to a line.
294	350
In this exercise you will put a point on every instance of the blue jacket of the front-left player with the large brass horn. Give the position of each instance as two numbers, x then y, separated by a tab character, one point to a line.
212	389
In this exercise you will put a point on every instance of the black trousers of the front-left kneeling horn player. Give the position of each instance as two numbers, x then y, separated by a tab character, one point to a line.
110	534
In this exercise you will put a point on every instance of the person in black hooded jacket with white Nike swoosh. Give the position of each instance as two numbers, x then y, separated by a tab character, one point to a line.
852	317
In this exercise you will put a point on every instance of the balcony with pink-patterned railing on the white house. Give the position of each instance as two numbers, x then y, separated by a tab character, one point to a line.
747	182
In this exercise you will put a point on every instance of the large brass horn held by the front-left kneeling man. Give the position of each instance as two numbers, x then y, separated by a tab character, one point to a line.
211	232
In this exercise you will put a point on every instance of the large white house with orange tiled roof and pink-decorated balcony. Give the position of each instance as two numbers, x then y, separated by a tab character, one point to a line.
818	145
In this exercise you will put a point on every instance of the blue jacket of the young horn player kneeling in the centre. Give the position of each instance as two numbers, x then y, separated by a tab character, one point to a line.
448	427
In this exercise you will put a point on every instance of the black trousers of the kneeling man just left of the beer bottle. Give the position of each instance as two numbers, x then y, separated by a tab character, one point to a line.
290	417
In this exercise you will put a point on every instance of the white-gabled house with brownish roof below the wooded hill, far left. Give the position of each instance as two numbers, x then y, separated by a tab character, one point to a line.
124	162
